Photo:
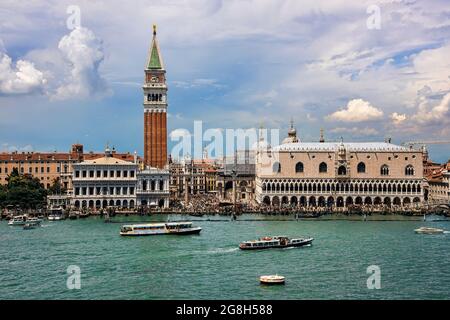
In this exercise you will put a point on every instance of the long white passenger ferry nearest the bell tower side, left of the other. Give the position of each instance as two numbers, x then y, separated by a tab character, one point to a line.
148	229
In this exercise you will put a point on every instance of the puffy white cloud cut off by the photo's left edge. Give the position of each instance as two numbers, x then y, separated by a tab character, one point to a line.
23	78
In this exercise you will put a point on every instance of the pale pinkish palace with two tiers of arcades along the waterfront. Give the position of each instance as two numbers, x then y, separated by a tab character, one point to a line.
339	174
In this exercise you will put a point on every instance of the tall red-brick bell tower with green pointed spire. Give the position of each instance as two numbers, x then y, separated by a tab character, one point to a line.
155	108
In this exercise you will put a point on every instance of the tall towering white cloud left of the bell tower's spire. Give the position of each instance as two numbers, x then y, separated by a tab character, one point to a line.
84	52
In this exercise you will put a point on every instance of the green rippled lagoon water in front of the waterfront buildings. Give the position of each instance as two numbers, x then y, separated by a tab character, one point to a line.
33	263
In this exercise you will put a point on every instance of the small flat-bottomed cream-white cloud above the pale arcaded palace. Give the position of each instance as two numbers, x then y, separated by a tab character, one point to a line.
357	110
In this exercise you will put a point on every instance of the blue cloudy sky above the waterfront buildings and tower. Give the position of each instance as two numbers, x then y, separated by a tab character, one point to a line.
72	71
